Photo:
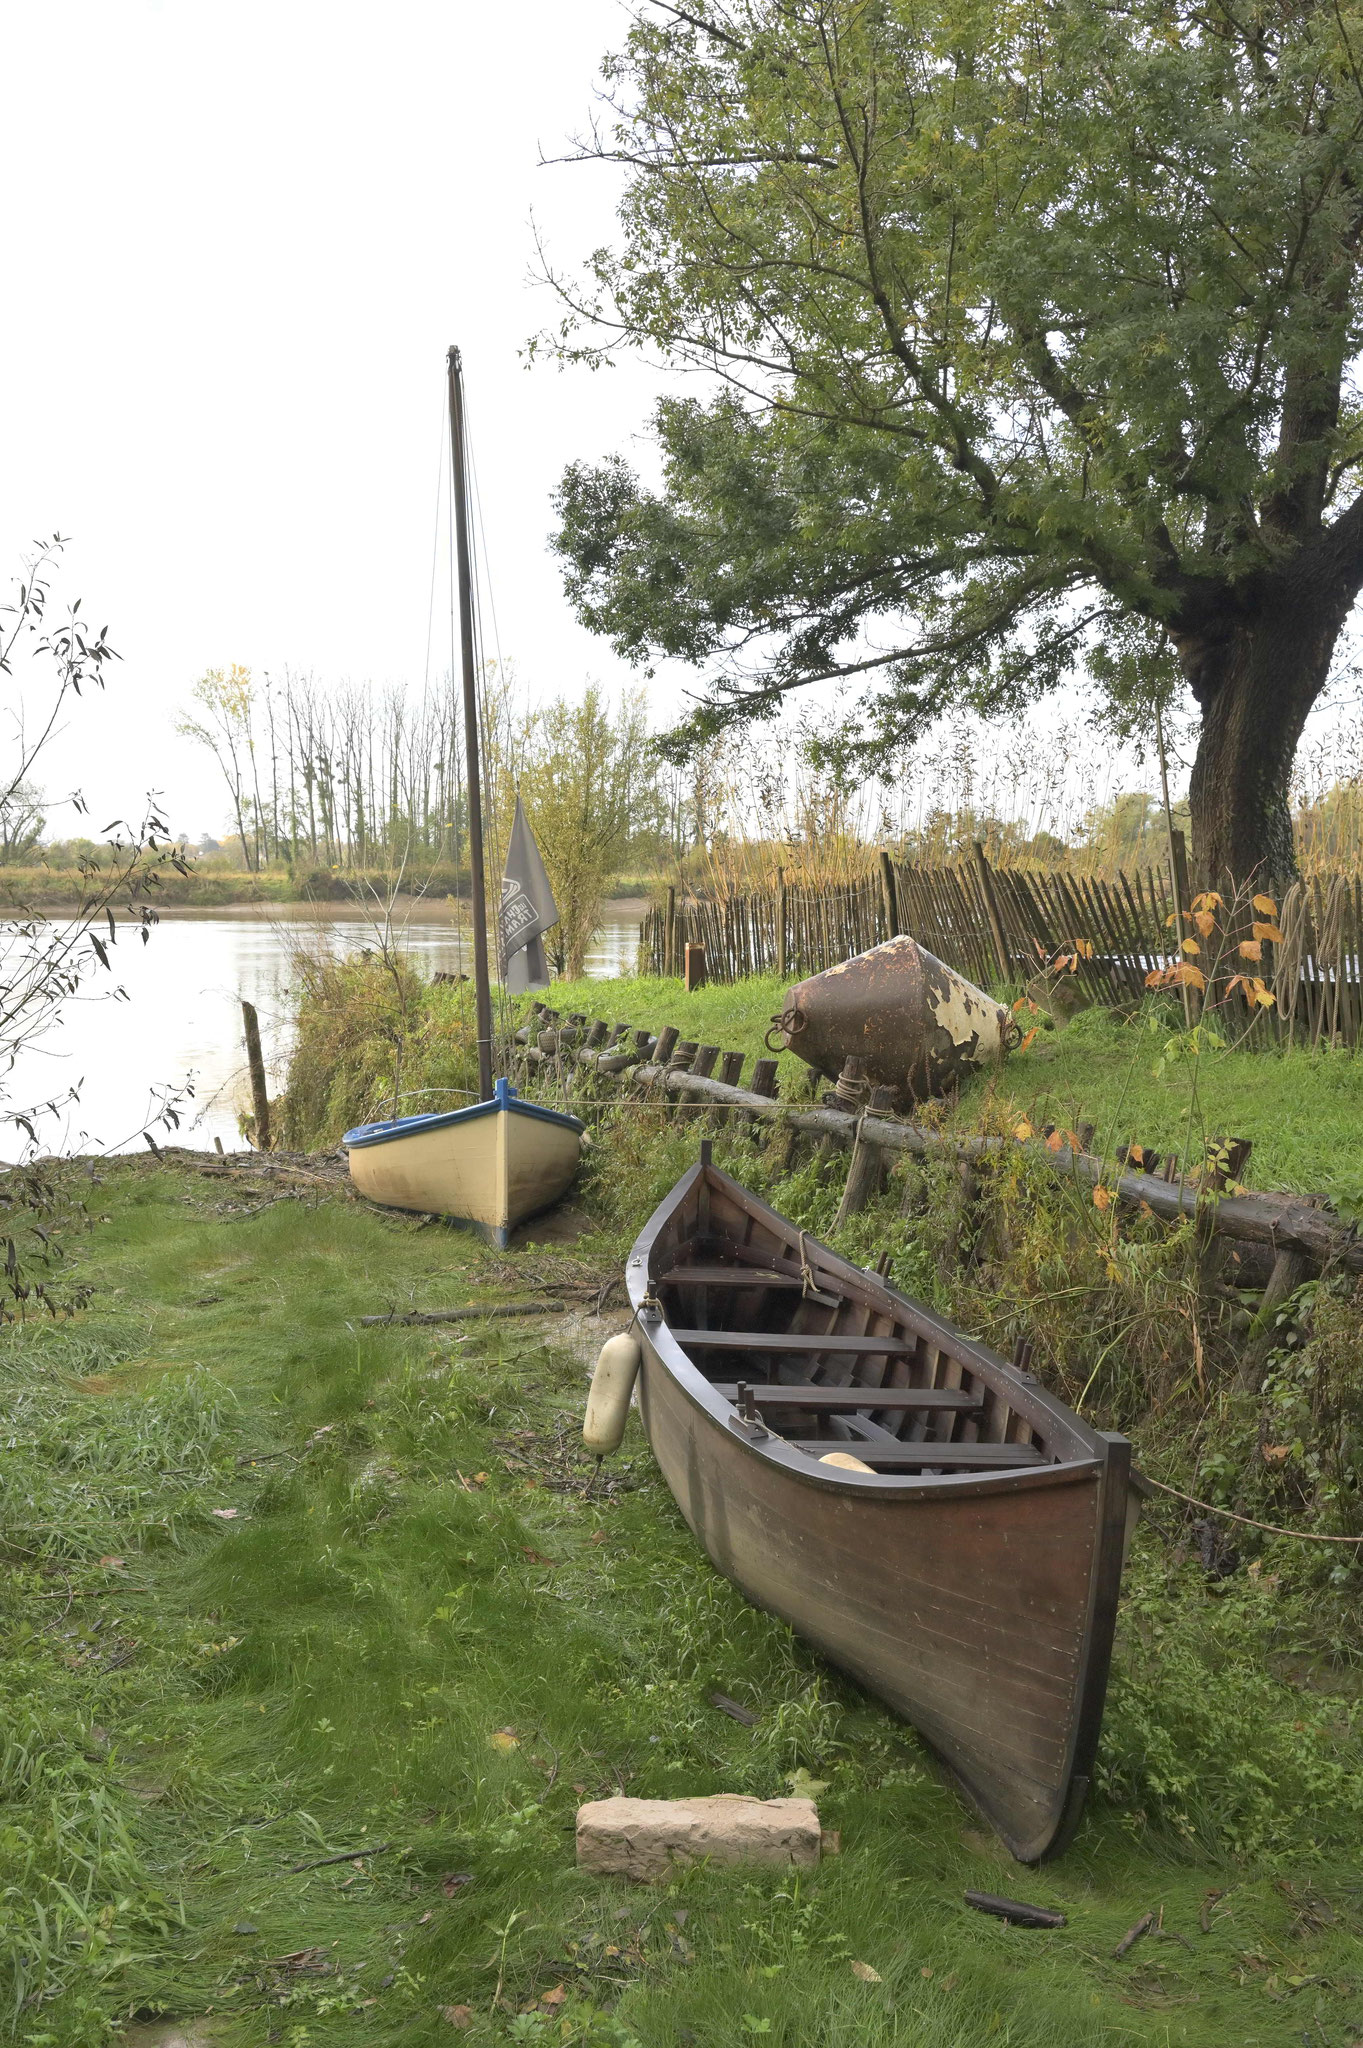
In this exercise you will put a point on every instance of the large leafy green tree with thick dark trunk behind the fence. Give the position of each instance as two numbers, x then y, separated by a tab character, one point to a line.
1037	331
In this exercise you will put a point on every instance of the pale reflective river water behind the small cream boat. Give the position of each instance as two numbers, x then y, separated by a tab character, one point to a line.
179	1021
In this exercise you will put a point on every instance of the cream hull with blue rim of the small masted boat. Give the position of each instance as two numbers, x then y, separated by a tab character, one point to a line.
492	1164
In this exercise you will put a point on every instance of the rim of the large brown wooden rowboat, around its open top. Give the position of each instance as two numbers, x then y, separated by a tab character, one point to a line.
801	1465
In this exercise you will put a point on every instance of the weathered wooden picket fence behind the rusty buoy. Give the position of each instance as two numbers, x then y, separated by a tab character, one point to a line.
1002	927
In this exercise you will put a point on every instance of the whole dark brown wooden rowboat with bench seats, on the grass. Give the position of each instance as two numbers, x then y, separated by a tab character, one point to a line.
967	1574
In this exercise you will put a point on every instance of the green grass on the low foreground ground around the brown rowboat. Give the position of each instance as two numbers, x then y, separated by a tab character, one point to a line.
414	1566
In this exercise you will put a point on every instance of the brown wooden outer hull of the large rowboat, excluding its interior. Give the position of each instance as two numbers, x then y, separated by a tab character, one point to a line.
975	1605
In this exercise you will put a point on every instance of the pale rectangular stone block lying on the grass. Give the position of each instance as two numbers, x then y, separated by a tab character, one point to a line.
650	1838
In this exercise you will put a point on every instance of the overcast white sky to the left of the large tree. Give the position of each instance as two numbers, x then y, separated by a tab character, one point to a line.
238	243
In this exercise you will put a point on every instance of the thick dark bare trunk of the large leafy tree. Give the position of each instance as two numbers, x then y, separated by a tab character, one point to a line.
1256	679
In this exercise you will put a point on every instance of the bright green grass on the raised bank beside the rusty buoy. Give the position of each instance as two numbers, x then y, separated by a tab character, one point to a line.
1141	1080
